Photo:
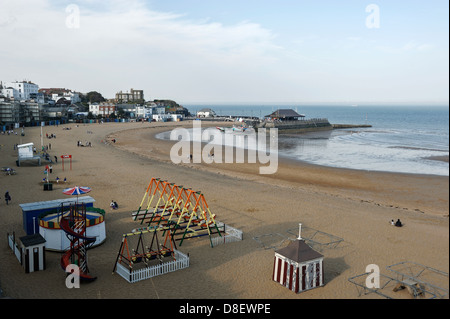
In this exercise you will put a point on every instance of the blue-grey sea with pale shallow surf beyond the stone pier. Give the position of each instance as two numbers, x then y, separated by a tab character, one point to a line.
402	139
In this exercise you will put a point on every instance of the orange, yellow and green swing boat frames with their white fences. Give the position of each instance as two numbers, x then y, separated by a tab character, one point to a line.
176	213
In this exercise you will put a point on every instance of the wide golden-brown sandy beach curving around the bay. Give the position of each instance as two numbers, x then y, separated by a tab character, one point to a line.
353	205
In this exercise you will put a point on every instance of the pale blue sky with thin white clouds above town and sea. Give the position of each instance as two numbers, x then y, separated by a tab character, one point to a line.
247	51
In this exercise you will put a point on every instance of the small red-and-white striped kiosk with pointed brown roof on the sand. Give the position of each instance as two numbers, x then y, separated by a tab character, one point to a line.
298	267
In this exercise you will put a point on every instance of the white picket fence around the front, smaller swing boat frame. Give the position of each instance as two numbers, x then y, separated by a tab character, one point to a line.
132	276
